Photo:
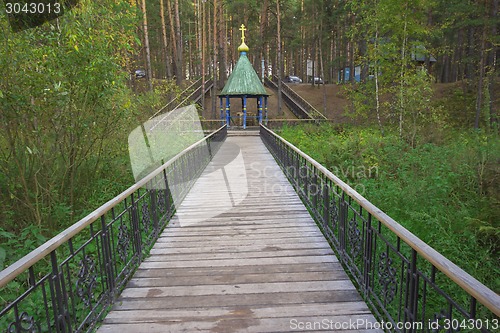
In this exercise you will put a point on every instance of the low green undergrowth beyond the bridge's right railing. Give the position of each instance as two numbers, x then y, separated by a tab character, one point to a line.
446	194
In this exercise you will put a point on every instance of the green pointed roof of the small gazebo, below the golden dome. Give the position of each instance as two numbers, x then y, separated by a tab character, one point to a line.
243	80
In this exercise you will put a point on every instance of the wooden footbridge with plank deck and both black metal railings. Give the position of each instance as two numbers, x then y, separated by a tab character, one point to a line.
257	238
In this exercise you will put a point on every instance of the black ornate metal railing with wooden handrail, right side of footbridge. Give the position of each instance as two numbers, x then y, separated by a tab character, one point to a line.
409	286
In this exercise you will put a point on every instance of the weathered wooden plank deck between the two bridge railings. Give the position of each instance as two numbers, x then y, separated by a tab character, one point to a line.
241	255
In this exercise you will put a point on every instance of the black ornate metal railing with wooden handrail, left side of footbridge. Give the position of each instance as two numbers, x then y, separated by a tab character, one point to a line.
69	283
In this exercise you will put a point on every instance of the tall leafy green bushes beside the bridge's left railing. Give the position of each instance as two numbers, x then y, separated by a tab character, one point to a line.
66	111
